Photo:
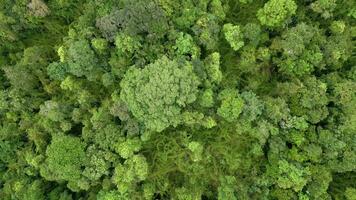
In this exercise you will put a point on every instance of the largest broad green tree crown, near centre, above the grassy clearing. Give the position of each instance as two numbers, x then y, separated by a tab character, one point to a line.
157	94
